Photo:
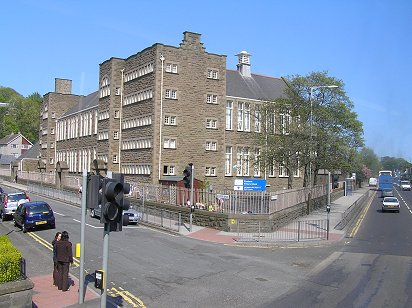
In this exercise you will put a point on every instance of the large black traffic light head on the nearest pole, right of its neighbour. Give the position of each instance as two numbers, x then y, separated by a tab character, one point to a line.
113	202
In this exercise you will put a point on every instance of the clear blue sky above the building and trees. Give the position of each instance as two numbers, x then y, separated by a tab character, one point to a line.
367	44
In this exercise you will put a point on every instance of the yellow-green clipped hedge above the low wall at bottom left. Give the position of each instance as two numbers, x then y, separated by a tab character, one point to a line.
10	260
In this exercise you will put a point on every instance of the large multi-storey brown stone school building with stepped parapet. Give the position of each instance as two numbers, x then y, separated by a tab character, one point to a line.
159	110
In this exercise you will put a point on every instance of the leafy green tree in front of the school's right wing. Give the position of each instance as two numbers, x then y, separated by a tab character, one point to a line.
323	131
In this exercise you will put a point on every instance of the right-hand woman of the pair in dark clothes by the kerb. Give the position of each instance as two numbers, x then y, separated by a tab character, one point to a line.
64	256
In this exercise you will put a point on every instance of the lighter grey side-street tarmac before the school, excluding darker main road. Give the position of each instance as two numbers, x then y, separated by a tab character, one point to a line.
154	269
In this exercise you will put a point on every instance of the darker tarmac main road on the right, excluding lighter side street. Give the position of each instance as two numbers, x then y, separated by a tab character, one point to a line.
373	269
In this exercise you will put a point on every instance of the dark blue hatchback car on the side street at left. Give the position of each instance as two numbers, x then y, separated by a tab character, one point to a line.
35	214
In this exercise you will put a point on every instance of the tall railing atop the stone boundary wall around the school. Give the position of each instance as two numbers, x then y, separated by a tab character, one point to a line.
225	201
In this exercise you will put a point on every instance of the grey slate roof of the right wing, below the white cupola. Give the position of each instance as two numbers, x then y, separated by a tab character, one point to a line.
257	87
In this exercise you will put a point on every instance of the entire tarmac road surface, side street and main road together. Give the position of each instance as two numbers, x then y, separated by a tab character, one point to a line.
148	268
